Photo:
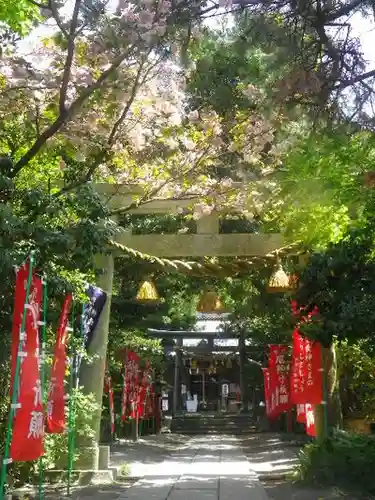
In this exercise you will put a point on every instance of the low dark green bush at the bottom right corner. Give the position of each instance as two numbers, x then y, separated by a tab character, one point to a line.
345	460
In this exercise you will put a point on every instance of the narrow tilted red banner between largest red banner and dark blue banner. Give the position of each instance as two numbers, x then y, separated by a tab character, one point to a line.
56	393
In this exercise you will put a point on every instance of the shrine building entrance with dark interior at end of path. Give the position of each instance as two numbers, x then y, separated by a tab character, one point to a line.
204	370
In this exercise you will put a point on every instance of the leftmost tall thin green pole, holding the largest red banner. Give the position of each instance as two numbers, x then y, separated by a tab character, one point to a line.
14	400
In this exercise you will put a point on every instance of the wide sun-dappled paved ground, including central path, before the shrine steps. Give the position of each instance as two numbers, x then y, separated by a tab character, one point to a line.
204	467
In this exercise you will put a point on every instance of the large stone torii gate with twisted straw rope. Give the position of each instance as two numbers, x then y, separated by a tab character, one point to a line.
207	242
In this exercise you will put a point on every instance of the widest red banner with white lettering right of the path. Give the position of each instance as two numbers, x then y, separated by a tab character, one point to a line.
306	374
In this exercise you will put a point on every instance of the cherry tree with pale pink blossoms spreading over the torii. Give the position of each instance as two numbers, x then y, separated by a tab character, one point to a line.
110	104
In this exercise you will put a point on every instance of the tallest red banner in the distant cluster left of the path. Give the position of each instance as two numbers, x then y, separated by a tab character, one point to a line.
130	395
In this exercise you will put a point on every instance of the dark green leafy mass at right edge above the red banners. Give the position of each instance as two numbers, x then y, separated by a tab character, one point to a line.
340	283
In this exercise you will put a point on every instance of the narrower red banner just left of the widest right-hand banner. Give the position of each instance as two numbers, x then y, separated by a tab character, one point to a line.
279	380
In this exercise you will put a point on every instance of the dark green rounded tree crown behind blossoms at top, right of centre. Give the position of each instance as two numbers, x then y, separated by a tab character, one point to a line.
254	51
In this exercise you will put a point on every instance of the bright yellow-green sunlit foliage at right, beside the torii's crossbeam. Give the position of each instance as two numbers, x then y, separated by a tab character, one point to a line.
322	186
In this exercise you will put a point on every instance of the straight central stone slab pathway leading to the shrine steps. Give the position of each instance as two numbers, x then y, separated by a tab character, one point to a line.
205	468
